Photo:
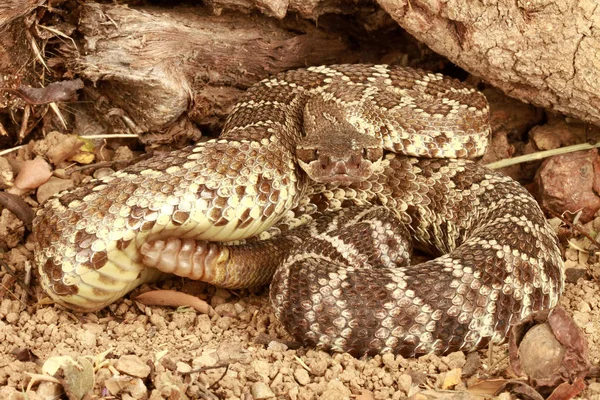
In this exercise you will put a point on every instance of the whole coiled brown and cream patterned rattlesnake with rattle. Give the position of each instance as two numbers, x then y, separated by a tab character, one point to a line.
318	176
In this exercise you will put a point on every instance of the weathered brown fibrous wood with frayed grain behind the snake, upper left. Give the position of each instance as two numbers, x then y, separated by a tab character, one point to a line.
157	65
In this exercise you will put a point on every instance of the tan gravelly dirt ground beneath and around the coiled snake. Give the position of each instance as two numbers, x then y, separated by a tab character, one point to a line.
137	352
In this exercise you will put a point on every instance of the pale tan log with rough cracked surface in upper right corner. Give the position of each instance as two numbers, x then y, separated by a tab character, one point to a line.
546	52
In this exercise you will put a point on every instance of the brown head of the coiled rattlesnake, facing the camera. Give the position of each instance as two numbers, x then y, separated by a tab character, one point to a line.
339	157
